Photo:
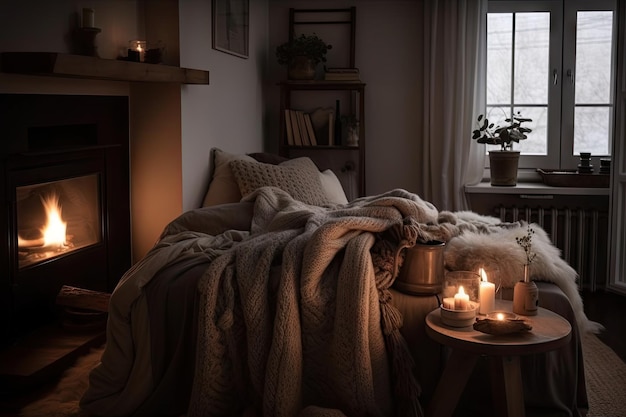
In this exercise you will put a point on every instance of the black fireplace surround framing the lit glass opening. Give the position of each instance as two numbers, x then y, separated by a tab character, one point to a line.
49	139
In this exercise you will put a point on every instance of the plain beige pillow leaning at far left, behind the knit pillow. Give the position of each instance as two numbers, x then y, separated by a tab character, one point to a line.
223	187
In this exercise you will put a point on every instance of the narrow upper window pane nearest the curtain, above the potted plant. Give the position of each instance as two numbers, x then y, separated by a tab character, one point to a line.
499	41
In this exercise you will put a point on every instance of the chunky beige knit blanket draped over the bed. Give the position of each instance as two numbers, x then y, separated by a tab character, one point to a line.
321	335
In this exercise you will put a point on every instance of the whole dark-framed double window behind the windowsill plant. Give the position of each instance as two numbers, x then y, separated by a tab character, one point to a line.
553	61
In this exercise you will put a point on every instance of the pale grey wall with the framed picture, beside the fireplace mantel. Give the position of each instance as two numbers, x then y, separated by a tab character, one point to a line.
229	112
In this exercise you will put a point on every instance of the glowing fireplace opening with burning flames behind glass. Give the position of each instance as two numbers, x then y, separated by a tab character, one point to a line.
56	218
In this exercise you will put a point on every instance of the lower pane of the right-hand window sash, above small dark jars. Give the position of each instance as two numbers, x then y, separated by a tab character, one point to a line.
591	130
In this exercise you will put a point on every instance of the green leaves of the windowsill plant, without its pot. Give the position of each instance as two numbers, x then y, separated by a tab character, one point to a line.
505	135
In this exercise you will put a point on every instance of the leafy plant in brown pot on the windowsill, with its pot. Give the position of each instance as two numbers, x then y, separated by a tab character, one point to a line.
504	162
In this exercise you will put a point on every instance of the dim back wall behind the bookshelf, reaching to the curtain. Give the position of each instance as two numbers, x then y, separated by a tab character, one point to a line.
388	52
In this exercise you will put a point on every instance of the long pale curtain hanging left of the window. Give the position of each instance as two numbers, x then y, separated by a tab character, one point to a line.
454	71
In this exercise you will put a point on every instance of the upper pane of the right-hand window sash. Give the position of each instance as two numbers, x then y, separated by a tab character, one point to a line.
593	57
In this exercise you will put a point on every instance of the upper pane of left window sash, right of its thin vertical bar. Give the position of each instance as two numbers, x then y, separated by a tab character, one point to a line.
532	50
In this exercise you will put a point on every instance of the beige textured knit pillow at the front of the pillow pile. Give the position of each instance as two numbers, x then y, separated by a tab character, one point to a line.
299	177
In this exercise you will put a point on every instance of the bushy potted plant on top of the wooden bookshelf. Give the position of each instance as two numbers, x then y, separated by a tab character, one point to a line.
301	55
